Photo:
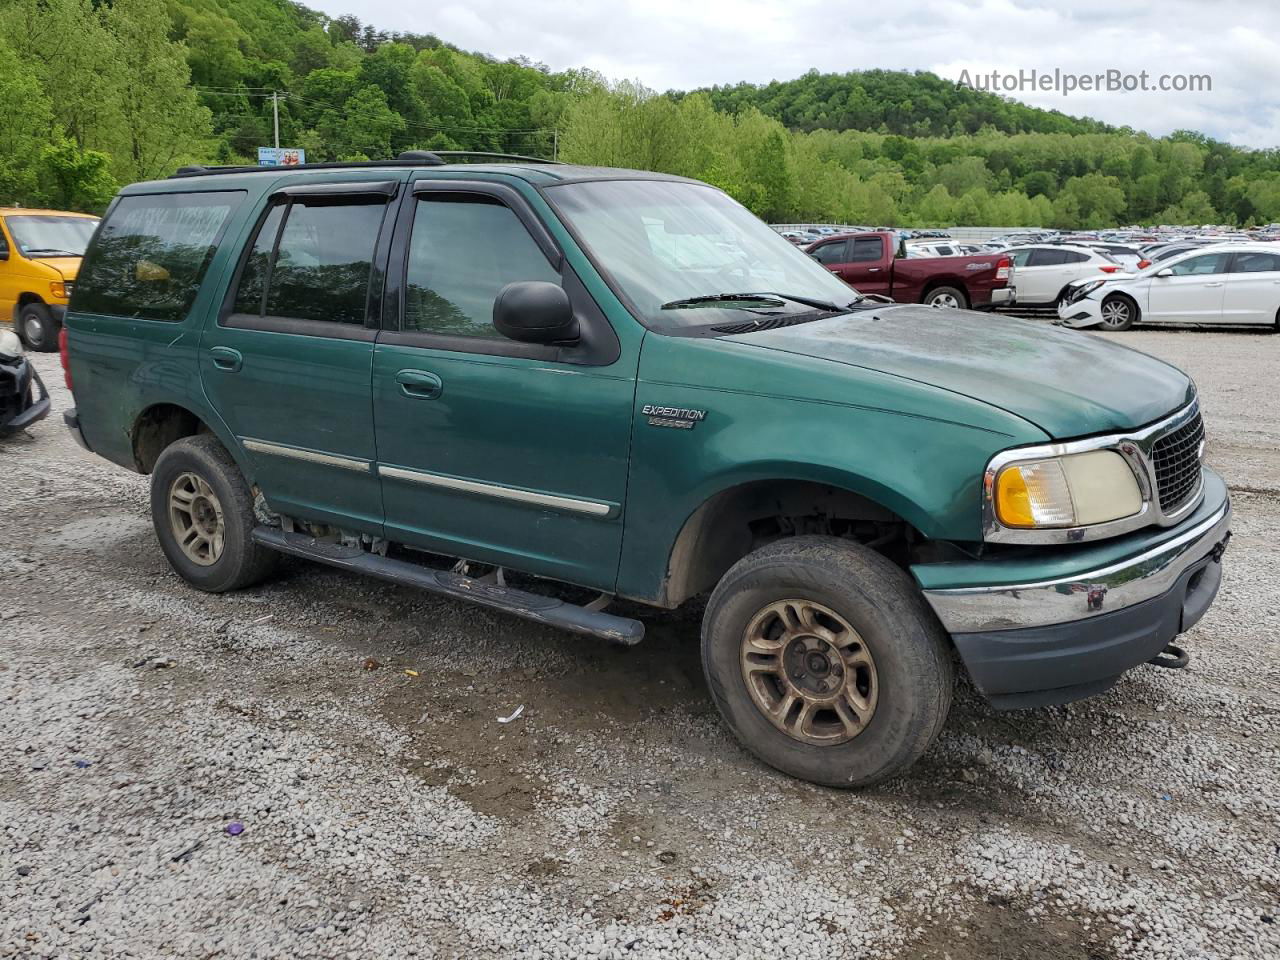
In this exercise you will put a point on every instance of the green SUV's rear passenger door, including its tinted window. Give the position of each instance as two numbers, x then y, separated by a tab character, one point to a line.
289	363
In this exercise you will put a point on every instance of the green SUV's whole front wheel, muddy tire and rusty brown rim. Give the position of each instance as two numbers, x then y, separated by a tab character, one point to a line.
826	662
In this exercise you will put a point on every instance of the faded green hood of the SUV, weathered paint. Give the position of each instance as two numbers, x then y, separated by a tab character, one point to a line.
1064	382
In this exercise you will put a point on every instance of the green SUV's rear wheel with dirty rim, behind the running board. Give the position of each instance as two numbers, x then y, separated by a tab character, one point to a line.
203	513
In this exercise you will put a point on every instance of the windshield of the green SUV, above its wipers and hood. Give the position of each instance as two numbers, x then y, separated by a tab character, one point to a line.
665	243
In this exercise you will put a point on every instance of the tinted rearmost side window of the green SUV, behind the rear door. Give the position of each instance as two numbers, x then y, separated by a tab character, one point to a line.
152	255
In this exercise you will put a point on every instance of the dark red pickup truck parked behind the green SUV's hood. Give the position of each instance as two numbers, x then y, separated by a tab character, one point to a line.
871	263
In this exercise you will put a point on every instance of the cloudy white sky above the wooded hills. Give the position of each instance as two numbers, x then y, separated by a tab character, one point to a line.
682	44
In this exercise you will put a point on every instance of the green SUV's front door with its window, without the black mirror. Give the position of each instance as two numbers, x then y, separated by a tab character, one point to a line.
491	450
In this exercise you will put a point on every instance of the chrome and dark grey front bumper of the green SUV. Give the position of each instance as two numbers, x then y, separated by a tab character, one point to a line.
1049	641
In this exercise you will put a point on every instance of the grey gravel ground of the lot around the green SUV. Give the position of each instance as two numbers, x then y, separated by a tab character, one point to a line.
391	816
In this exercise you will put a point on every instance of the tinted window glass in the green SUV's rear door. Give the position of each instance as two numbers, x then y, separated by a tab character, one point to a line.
312	262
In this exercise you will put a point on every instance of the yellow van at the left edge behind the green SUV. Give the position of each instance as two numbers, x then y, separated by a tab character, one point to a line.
40	255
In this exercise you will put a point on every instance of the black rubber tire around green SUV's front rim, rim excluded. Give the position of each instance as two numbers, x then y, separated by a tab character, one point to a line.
913	670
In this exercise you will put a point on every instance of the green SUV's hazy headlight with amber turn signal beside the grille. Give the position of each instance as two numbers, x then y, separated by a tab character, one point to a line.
1067	492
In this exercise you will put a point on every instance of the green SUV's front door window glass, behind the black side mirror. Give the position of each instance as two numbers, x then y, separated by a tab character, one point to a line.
463	252
